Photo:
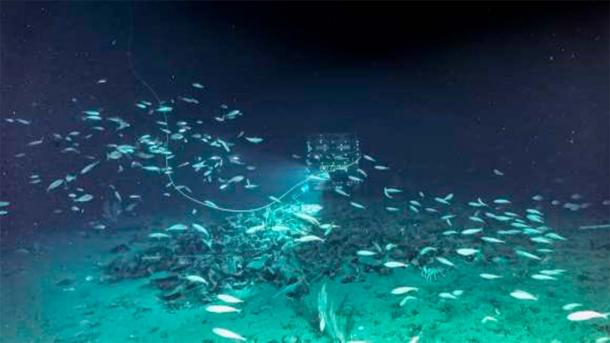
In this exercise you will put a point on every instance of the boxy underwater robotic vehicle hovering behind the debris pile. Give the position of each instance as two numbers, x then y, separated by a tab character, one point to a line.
336	154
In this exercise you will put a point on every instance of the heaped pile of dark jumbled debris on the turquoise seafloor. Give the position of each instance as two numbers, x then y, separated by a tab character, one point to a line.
191	266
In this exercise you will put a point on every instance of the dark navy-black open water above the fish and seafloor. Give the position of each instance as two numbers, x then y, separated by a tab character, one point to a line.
442	92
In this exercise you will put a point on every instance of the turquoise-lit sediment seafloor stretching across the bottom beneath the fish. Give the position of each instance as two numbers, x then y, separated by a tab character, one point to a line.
61	287
